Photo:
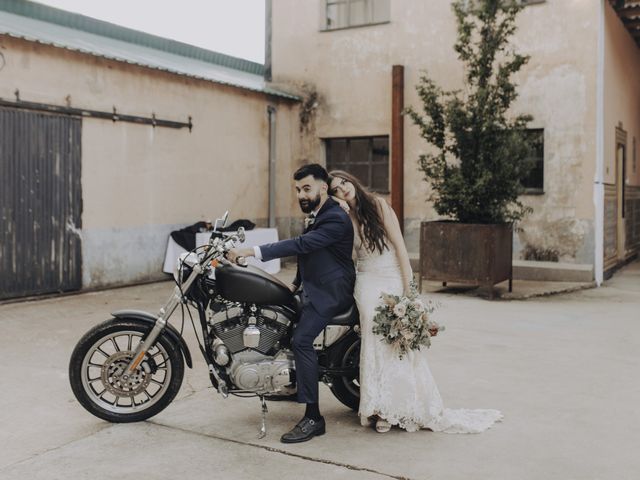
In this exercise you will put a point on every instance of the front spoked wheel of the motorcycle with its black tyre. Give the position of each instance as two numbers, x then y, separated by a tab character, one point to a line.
98	363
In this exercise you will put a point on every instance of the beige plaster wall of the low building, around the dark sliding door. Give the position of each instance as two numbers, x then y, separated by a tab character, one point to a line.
139	182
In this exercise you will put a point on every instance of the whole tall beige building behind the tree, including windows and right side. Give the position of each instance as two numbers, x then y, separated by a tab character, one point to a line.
353	60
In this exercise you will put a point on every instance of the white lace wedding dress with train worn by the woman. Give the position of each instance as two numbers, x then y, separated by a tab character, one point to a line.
401	391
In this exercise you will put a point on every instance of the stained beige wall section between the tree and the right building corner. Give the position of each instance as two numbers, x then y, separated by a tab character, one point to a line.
558	87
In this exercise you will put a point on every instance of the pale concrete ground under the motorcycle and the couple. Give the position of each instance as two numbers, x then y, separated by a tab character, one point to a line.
563	370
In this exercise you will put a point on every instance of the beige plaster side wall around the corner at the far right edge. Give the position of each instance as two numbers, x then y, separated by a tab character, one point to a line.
621	96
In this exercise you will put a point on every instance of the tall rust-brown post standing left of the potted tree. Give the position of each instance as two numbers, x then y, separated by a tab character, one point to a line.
397	143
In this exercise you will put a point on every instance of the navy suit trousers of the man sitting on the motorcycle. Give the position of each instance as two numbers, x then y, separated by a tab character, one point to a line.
310	325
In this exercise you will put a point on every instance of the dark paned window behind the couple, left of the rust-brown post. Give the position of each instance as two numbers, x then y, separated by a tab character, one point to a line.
367	158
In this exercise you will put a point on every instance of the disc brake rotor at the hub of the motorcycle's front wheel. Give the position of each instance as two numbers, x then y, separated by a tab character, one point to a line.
112	376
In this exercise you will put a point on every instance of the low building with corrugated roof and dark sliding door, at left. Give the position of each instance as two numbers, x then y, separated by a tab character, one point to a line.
111	138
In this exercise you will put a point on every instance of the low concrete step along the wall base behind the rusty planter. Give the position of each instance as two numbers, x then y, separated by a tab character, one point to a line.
538	271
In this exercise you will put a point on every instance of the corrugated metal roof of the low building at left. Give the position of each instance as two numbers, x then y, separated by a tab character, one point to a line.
78	33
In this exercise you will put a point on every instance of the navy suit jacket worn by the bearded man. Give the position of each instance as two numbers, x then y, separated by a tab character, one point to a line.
325	266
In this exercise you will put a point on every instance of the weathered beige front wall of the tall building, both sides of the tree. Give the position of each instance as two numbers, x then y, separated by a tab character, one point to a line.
351	71
